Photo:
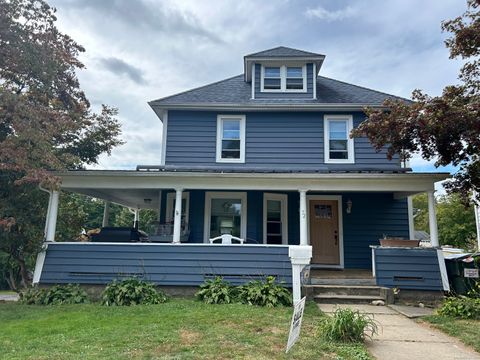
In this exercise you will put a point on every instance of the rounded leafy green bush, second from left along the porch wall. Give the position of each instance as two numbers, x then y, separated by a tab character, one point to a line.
132	292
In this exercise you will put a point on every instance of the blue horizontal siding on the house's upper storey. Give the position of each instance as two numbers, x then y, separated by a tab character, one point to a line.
273	140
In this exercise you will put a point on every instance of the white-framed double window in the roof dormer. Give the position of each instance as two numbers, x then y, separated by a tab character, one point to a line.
284	78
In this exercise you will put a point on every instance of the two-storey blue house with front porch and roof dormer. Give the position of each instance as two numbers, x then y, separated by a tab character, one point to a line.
264	156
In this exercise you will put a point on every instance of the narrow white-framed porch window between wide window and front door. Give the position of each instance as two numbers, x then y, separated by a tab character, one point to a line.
275	219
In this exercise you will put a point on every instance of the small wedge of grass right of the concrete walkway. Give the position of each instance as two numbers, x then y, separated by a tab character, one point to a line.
467	331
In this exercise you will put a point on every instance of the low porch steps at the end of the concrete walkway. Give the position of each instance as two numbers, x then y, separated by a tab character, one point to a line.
346	294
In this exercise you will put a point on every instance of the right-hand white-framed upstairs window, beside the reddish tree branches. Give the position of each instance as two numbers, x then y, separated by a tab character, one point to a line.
339	147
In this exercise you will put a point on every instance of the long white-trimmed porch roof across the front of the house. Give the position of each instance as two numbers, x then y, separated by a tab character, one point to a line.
140	189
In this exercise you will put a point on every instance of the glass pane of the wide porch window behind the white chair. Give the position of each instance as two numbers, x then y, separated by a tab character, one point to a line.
225	217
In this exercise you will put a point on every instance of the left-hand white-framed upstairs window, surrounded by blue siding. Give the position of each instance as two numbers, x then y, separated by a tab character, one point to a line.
231	138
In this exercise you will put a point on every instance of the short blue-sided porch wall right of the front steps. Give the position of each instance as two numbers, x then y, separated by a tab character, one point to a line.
396	267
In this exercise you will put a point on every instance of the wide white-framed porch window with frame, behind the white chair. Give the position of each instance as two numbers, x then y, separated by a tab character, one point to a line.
225	213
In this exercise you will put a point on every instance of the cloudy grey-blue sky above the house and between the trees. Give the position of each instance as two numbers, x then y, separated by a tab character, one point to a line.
142	50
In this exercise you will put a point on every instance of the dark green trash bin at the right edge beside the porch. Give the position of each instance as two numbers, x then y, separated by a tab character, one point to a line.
462	280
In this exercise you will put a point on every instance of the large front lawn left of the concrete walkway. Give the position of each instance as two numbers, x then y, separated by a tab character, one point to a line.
179	329
